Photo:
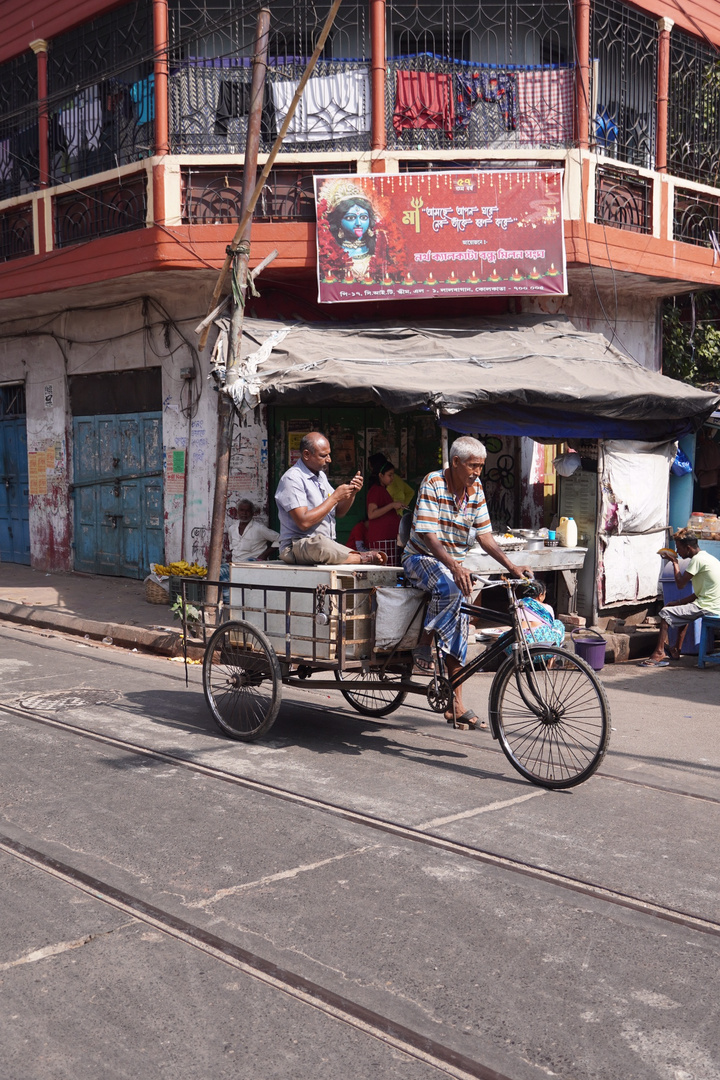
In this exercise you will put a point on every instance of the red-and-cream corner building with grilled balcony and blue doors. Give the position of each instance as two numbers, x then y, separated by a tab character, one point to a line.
123	132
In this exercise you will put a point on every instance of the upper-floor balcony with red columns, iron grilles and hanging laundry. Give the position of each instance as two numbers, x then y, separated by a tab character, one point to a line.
125	125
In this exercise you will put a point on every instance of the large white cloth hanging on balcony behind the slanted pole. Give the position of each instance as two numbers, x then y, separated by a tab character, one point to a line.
332	107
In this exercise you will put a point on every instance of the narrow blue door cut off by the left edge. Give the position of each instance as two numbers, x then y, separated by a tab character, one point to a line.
15	493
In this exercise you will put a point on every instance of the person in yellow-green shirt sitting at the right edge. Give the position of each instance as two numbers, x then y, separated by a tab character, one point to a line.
703	571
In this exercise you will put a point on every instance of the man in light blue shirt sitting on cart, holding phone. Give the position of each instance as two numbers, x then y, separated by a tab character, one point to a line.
308	507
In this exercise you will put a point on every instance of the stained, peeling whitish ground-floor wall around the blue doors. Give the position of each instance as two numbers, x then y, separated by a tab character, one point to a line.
144	332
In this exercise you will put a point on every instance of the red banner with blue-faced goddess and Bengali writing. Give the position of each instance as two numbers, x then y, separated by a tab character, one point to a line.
410	236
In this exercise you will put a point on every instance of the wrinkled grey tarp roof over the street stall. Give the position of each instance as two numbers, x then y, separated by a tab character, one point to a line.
527	375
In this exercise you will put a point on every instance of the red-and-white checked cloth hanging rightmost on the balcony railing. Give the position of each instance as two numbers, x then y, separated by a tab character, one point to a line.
545	106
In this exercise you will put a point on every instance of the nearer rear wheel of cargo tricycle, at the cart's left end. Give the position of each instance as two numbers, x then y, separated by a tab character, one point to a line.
242	681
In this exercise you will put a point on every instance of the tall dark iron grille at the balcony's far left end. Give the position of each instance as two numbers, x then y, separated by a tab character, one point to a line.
19	126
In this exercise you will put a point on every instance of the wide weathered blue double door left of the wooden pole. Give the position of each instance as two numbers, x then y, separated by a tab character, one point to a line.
118	494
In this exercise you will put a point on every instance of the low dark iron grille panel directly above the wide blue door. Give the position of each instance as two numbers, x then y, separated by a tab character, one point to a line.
118	207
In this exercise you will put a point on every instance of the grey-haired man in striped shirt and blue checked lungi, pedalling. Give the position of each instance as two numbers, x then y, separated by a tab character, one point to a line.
451	505
